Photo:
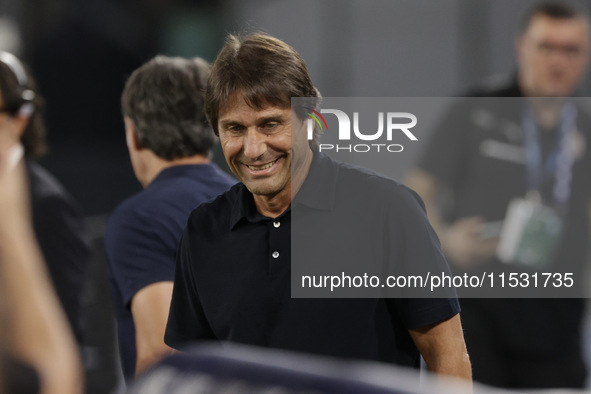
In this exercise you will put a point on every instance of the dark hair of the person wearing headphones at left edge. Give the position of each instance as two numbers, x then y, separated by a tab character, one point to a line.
33	138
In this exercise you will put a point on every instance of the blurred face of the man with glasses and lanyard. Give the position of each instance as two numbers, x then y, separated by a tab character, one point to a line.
552	56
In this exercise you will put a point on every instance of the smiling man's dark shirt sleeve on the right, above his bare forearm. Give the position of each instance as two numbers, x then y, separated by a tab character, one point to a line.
418	253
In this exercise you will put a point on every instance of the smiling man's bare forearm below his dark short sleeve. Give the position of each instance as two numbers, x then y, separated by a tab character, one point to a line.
443	348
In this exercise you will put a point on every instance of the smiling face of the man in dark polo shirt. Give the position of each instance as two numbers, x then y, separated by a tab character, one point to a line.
258	147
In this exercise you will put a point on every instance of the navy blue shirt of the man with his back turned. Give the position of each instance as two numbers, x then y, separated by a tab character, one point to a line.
142	237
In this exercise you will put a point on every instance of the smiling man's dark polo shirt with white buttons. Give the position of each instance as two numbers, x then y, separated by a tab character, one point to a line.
232	281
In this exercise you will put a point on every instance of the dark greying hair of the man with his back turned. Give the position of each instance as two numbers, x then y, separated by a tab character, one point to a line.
164	99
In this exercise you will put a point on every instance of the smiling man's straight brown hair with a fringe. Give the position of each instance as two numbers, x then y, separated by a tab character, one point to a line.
264	70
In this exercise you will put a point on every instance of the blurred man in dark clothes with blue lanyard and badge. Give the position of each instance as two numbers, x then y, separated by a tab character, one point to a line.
518	342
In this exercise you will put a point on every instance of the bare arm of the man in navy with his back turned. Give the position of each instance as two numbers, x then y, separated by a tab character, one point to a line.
150	307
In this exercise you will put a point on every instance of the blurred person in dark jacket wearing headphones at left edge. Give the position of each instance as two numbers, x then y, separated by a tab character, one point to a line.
56	219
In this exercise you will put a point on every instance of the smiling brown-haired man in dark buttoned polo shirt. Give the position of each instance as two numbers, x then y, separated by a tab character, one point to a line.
233	275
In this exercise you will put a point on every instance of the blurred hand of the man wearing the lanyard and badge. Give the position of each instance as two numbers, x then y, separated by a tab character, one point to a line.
464	244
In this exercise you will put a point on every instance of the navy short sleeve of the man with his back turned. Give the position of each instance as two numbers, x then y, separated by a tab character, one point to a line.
139	252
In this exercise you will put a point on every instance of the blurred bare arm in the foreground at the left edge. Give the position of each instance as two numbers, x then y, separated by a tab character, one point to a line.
37	350
